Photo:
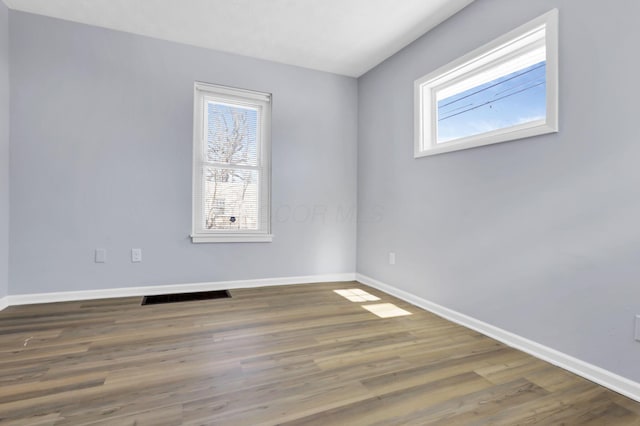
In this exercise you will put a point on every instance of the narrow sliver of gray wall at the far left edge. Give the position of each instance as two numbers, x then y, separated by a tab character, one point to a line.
4	150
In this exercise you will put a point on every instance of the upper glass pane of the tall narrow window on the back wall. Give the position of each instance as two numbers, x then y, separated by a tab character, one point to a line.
231	134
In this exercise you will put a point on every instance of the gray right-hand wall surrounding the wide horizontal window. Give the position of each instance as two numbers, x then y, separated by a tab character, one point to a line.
539	236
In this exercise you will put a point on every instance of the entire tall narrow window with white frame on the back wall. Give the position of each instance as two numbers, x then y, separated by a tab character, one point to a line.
231	165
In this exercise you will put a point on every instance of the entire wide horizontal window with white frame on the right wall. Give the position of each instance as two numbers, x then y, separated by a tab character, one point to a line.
502	91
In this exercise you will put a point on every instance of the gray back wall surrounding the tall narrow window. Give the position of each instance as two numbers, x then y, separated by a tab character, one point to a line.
101	157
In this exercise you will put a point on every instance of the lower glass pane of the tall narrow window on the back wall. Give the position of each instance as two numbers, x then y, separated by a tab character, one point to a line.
230	199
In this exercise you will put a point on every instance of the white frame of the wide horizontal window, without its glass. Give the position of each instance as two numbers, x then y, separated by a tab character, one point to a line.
425	103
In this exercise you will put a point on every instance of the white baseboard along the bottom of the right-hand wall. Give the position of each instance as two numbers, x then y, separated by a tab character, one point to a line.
591	372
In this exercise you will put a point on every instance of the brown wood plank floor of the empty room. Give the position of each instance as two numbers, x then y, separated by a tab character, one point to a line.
293	355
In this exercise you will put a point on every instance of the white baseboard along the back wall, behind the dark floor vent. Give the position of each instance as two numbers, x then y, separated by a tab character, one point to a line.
67	296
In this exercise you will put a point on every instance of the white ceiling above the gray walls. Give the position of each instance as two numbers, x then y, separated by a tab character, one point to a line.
346	37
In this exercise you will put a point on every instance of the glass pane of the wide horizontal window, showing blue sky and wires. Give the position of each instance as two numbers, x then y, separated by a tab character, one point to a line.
517	97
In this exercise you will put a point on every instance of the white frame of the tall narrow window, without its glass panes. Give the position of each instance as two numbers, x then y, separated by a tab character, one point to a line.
204	92
